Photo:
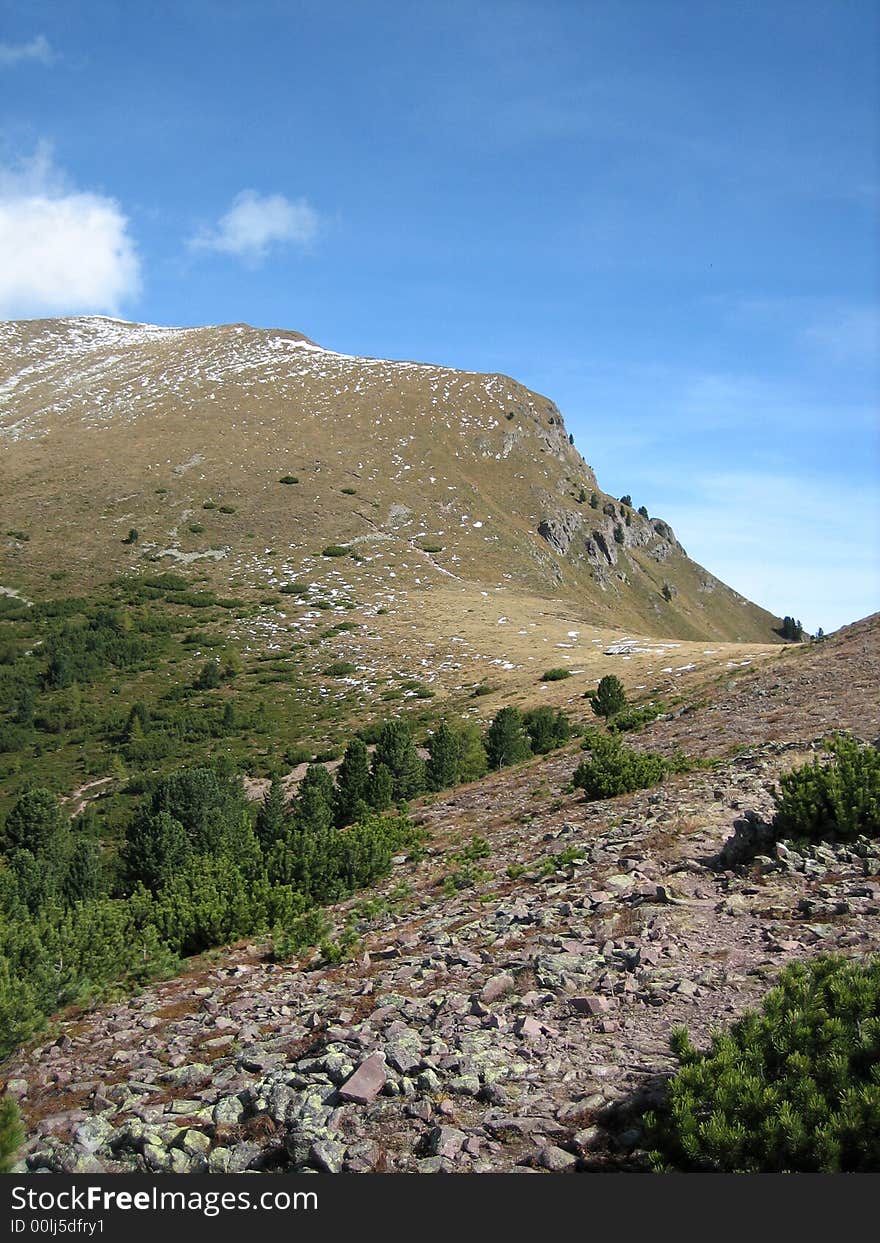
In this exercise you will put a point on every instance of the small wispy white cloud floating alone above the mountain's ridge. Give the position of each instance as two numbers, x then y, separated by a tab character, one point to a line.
257	223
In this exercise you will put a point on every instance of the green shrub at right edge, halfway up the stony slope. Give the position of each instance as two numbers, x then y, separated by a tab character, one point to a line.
838	800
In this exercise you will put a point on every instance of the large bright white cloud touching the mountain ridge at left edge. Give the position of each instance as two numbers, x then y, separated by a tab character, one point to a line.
63	252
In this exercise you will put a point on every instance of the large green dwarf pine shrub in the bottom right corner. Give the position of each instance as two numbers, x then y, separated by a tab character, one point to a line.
794	1087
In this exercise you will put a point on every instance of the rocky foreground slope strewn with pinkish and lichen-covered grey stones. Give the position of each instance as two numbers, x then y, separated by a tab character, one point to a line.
510	1005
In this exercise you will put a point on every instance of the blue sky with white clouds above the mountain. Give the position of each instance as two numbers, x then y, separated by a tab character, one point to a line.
661	213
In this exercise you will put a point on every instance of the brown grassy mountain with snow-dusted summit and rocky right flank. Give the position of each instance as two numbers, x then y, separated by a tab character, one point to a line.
427	478
